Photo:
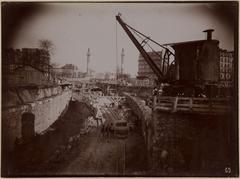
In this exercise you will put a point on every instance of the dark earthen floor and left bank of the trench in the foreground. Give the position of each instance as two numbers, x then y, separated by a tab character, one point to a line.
64	150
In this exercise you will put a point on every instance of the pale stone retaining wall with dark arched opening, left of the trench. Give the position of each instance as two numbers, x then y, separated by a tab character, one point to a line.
46	105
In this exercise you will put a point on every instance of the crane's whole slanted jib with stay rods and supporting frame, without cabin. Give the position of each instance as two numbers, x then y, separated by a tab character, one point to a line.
160	73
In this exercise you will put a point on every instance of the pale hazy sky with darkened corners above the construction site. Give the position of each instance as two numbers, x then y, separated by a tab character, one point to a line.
75	27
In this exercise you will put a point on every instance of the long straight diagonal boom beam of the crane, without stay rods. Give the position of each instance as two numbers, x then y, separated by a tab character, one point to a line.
145	55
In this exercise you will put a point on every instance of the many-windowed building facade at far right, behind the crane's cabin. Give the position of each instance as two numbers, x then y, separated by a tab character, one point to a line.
226	68
